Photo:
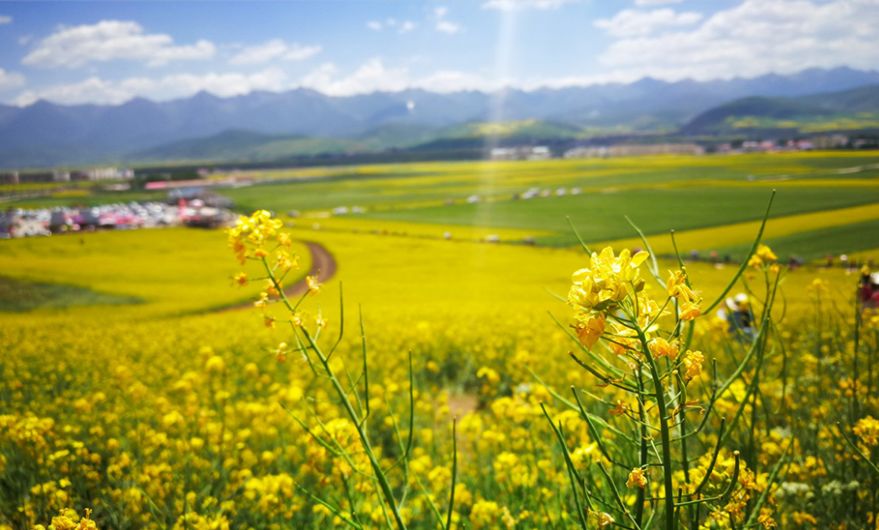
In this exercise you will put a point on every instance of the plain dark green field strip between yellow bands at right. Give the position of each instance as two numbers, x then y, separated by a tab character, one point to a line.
599	216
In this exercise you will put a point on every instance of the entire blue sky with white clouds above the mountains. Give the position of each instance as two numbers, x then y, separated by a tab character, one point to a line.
108	52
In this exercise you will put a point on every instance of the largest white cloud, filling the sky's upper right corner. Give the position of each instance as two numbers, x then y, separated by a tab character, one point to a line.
755	38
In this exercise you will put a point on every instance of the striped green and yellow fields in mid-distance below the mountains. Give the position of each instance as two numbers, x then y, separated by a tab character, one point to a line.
659	193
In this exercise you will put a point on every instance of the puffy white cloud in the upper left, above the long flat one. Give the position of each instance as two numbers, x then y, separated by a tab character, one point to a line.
110	40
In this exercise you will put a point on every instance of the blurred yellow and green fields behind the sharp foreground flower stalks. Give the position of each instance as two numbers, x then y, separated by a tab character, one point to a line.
141	382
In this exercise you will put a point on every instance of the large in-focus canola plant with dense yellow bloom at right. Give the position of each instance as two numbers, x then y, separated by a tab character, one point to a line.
646	354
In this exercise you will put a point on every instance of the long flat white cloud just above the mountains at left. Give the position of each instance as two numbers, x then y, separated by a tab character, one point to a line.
97	90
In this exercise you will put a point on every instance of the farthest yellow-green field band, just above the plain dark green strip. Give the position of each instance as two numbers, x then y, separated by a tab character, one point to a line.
408	185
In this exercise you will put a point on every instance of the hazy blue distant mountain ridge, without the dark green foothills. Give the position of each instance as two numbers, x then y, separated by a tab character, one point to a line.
48	134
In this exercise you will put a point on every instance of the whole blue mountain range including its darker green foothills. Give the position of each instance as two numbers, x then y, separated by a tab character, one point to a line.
303	121
